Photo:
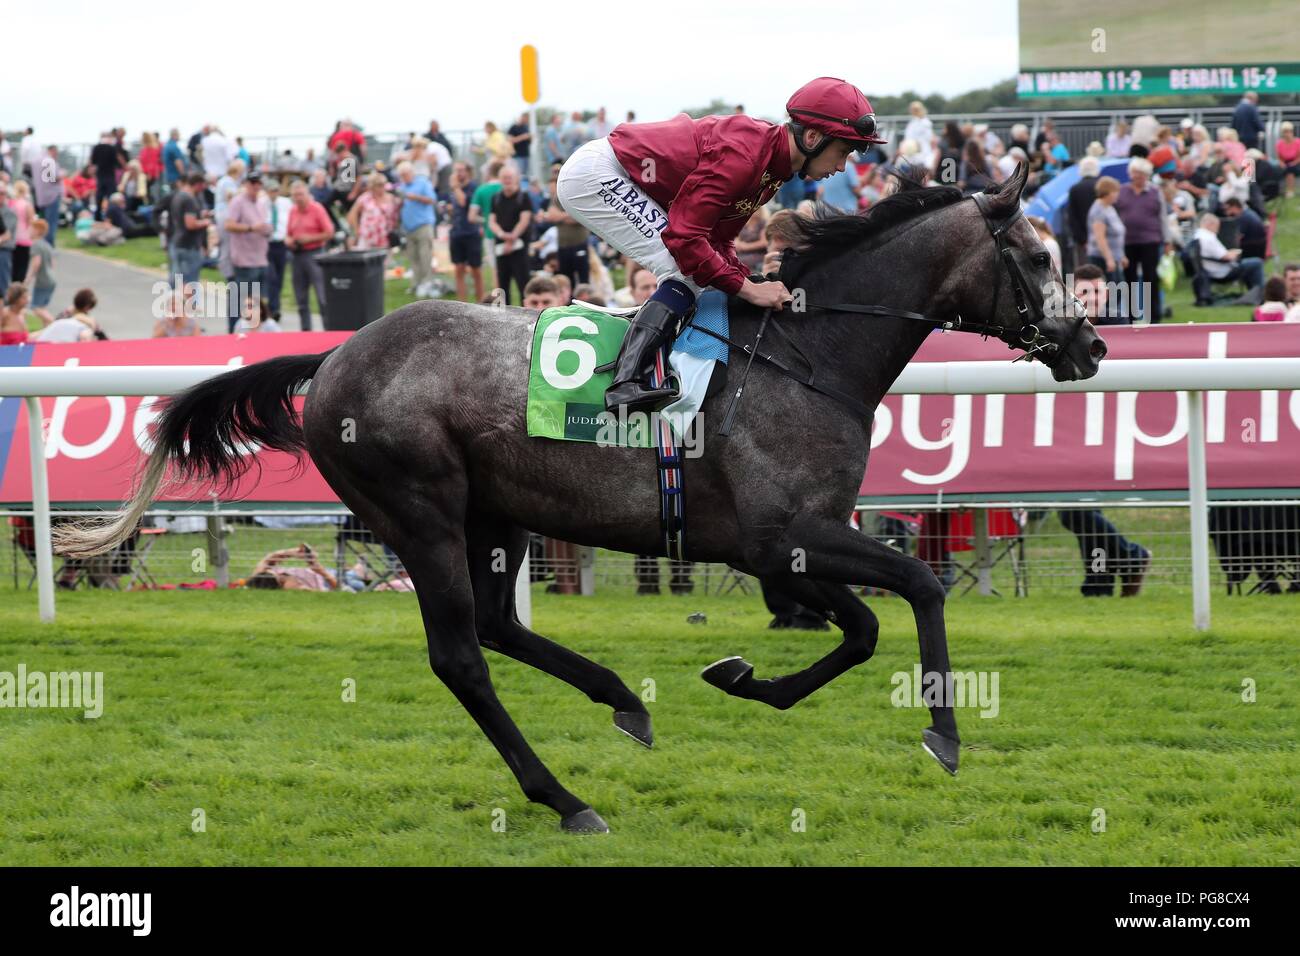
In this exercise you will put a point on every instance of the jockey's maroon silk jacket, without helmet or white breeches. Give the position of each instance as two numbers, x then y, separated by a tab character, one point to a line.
709	175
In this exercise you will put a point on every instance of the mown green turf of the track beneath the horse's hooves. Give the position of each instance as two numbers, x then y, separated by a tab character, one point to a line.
232	703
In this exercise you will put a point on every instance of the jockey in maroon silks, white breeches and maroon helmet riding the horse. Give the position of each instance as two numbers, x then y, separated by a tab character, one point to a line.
710	175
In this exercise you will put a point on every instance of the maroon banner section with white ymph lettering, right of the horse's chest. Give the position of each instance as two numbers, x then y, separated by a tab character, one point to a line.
1117	443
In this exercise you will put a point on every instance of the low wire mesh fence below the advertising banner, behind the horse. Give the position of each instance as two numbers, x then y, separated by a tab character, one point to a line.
1006	548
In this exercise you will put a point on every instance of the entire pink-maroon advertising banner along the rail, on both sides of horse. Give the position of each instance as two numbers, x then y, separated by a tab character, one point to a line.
922	445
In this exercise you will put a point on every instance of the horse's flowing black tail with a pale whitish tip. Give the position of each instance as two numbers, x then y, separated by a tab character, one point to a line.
200	435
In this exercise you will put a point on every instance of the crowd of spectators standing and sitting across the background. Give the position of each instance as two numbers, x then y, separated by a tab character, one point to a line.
262	219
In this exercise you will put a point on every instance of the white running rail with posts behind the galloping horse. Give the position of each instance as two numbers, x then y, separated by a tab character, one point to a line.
1194	377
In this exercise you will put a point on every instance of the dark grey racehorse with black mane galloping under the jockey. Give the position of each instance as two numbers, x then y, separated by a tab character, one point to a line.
418	423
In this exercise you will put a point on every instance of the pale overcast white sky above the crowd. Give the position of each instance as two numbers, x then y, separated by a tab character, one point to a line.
294	68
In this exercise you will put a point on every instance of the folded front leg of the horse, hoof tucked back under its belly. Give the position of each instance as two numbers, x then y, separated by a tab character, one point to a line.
860	626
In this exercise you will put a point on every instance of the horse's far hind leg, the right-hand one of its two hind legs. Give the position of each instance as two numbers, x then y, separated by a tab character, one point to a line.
496	555
